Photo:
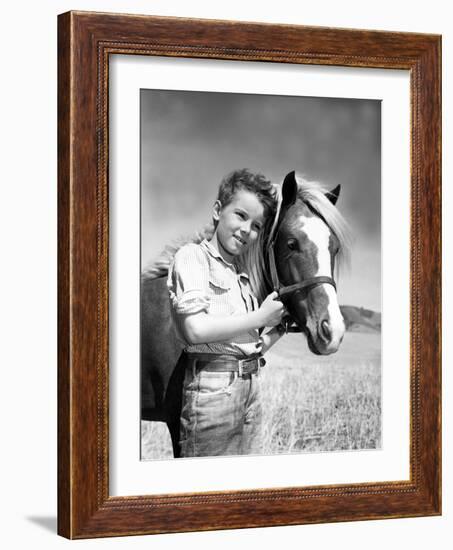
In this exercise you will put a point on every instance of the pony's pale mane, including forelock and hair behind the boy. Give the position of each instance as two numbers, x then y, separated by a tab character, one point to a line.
253	262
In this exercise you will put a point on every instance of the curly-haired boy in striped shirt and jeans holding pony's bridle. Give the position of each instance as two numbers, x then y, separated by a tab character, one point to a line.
218	317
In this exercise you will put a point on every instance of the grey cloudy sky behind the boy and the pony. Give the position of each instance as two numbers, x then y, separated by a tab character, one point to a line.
190	140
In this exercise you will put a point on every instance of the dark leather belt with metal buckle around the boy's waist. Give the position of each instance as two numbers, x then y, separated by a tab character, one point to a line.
214	362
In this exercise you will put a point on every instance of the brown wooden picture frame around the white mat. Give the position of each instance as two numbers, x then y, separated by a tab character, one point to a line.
85	41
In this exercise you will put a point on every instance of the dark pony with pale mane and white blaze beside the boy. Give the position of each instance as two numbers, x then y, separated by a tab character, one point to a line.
296	254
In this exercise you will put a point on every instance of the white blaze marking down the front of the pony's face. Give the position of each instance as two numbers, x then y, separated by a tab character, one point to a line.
318	233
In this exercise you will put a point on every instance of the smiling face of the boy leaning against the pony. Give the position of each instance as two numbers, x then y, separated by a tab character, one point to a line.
239	223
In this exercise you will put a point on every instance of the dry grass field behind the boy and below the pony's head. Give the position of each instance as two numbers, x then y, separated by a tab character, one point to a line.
312	403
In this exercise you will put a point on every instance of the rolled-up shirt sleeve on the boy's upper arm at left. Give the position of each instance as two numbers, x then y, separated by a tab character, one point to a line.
188	281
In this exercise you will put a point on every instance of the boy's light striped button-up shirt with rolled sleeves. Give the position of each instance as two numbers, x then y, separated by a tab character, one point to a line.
201	280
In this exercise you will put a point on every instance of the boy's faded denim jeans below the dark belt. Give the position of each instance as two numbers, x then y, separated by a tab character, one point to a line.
221	414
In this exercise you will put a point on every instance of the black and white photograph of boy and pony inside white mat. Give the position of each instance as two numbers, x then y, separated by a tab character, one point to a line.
260	274
